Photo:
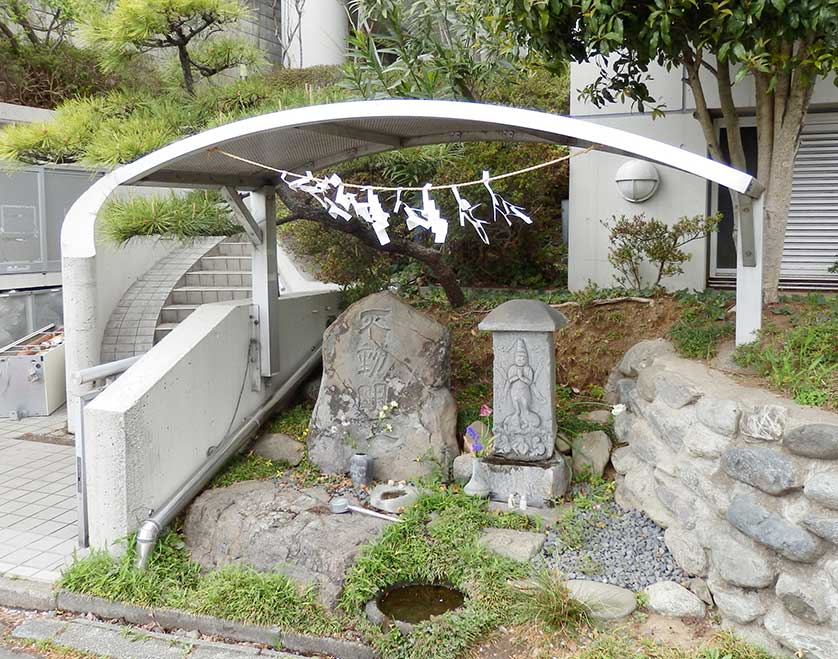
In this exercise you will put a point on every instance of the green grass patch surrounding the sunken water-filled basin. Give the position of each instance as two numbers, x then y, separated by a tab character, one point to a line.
437	543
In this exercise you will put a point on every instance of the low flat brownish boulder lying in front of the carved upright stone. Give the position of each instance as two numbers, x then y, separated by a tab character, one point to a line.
276	528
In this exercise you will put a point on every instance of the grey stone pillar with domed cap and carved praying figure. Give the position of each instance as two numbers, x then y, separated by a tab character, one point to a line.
524	460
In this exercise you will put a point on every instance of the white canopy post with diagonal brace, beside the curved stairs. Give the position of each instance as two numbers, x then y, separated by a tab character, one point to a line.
262	205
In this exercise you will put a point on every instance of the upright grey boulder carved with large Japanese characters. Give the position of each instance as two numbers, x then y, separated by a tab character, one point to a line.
386	371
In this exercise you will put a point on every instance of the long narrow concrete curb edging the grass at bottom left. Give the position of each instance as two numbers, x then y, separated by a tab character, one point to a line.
27	594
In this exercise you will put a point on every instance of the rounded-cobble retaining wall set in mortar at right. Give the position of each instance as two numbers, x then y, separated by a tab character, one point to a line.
746	484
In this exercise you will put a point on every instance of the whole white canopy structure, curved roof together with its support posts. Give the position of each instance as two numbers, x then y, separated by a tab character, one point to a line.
315	137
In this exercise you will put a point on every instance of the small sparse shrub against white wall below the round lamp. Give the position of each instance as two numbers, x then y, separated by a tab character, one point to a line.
636	240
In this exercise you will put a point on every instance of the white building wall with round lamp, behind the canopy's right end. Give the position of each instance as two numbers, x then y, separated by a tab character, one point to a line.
593	193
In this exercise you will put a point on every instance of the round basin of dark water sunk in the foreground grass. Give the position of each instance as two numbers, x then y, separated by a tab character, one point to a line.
405	605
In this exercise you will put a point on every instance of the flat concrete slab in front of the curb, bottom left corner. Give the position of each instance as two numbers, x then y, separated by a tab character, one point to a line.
125	642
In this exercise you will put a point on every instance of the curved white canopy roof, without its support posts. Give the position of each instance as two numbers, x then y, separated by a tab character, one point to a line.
323	135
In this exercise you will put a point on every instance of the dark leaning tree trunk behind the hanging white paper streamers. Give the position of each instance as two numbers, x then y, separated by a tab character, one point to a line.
441	271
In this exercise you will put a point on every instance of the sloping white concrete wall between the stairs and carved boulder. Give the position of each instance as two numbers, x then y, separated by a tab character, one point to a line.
152	428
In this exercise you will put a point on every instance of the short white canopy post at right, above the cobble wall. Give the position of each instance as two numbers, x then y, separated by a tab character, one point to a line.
749	259
